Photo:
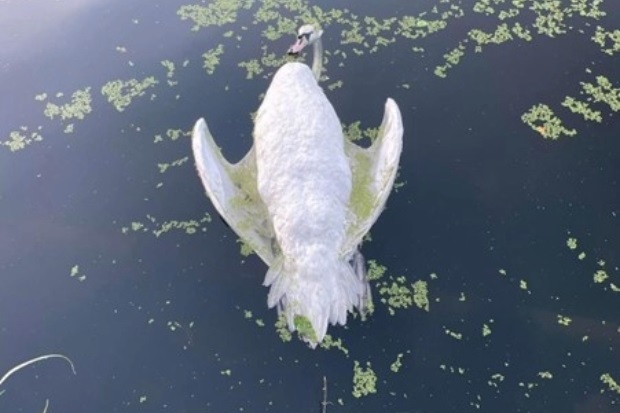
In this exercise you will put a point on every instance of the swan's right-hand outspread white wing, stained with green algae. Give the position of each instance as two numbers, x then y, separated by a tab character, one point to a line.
374	170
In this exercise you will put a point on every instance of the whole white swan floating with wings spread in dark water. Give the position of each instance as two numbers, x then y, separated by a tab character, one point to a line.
304	196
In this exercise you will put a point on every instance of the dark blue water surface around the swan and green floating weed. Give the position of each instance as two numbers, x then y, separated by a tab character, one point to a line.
483	192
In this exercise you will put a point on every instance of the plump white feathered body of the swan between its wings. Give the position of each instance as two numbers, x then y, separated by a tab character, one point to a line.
304	177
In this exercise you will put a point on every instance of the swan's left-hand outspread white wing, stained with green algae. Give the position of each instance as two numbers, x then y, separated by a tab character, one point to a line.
232	190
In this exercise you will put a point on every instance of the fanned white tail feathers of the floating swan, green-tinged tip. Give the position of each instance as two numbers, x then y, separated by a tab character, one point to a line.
312	294
